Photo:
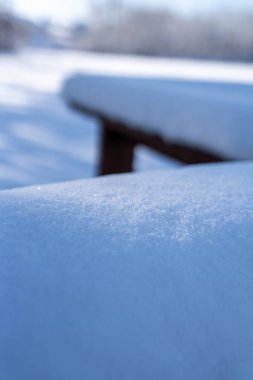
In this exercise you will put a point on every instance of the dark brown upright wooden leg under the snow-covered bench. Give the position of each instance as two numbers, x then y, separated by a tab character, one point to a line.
116	151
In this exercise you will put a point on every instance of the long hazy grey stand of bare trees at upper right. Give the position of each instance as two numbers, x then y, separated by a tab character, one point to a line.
163	33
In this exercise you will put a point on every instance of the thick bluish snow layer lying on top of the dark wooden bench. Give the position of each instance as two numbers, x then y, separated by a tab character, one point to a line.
212	110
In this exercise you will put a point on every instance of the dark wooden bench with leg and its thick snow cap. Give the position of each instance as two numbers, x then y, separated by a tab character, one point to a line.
193	121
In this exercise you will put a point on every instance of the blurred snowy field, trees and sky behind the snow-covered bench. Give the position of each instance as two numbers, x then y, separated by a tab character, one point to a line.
44	42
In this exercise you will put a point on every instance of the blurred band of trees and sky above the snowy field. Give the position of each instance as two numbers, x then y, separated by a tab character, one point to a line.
213	29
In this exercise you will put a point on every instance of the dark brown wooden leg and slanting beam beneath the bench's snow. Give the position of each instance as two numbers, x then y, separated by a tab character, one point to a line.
118	141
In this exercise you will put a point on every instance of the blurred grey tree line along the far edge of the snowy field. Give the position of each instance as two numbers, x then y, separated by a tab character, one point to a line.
115	28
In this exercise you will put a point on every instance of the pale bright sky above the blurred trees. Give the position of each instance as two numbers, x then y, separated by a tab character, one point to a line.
67	11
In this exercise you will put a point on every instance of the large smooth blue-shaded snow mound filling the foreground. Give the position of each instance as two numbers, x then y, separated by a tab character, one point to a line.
143	276
